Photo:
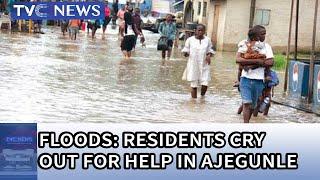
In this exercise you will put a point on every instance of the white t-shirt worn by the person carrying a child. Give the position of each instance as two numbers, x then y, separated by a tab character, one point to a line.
264	48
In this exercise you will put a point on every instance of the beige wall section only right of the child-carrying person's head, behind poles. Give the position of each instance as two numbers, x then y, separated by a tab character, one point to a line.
277	30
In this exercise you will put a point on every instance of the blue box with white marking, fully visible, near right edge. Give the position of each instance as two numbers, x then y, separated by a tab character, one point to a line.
298	79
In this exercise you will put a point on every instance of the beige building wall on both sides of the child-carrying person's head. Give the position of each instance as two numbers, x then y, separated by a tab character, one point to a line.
237	23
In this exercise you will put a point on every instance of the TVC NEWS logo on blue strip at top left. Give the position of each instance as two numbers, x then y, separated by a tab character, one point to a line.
57	10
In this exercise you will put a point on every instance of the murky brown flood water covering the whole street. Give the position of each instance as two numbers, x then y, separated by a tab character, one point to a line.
49	78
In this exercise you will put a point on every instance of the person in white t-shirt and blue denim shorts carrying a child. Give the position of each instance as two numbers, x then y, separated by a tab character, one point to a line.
253	68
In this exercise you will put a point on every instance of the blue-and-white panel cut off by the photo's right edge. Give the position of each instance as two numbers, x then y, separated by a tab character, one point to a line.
316	89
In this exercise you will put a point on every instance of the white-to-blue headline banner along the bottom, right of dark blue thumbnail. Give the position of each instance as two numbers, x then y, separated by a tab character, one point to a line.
178	151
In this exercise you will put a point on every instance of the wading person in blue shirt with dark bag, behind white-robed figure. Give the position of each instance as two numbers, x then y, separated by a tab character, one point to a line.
168	30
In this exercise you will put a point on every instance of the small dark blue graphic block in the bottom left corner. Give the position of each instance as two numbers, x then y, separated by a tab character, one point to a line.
18	151
